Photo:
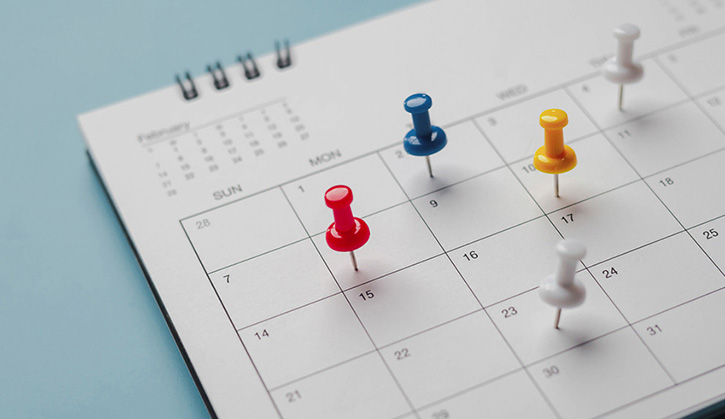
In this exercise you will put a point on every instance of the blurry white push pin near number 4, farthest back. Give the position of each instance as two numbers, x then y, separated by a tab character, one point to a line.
621	68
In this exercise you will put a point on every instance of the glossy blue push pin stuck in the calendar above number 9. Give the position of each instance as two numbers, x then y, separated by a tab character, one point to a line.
424	139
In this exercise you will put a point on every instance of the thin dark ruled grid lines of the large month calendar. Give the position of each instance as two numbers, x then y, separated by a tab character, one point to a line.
414	410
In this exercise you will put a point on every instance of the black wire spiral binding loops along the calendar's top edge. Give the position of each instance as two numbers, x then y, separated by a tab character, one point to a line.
249	68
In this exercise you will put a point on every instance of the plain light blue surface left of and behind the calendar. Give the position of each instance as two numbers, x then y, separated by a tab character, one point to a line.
80	332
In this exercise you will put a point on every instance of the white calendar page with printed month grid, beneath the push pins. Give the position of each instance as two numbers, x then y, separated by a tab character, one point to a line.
222	197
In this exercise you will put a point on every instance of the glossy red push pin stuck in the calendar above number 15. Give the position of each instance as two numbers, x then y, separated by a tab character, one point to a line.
347	233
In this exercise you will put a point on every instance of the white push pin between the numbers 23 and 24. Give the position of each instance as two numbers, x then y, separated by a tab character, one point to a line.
562	289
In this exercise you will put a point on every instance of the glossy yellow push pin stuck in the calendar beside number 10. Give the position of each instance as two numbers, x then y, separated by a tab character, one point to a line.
554	156
